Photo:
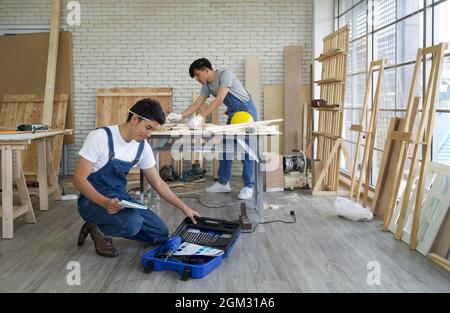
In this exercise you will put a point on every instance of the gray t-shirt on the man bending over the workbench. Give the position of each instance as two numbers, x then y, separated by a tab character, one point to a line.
226	78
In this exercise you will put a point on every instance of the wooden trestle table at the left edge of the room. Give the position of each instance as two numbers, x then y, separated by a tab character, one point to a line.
11	145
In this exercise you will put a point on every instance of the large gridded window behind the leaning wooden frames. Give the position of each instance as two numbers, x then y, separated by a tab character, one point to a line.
394	29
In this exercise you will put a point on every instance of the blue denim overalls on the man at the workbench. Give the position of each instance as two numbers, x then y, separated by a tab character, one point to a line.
235	105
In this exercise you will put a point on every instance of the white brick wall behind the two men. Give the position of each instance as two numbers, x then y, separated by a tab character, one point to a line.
153	42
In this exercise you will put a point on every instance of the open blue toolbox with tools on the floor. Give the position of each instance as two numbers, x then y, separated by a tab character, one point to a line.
208	232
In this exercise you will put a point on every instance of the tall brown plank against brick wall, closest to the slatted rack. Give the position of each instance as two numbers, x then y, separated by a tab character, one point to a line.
293	108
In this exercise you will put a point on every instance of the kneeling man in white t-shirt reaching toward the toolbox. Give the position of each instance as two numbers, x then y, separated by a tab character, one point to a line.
106	157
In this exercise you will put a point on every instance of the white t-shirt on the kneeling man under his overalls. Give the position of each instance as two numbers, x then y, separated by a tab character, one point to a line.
96	149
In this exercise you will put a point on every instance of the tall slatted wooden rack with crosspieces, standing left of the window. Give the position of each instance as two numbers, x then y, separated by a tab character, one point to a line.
330	143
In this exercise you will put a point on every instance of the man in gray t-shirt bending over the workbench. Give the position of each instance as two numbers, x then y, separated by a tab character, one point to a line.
226	89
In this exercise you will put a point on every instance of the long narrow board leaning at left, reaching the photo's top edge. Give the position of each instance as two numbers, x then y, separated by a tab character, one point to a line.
51	64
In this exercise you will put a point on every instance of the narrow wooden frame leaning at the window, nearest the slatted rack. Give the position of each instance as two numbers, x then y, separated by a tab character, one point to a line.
370	133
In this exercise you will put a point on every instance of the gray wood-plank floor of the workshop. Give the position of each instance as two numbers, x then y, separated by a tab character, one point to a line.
320	253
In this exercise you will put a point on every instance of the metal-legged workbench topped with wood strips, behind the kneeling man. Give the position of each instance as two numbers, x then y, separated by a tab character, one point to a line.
162	140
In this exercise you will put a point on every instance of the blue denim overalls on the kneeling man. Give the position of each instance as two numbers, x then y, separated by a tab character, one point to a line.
111	181
